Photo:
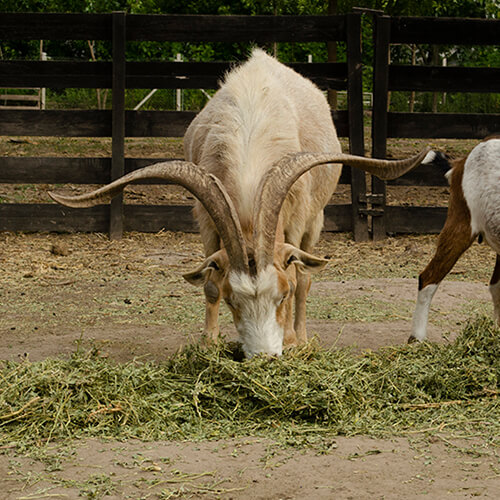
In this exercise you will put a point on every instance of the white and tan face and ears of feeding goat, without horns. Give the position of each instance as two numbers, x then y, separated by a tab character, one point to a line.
258	297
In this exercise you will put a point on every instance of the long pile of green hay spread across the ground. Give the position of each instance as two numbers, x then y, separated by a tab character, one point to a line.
306	395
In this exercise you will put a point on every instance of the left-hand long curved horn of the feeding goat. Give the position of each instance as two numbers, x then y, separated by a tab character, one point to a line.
206	187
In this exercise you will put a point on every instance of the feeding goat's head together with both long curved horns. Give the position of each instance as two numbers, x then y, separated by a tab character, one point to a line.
257	285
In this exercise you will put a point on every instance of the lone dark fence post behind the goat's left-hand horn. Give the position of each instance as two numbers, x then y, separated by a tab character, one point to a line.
118	122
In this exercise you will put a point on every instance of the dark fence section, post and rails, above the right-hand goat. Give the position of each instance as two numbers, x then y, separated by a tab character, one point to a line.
388	77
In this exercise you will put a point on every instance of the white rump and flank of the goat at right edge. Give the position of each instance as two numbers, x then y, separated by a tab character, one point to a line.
481	186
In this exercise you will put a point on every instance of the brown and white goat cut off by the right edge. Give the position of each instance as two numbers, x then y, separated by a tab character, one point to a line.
473	210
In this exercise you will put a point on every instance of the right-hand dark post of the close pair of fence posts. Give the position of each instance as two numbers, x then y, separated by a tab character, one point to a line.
379	119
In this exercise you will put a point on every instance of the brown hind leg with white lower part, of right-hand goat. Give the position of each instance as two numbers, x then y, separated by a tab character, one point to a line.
454	240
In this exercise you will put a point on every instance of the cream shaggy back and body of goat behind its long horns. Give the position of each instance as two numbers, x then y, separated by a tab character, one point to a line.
263	111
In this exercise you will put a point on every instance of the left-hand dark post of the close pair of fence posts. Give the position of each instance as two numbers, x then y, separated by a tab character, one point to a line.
356	132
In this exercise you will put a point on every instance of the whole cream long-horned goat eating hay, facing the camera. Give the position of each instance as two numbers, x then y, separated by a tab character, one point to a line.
249	155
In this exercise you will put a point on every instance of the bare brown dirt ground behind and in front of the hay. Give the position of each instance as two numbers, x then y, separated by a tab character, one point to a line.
128	299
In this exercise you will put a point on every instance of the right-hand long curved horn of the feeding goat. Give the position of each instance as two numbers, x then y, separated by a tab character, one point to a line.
275	185
